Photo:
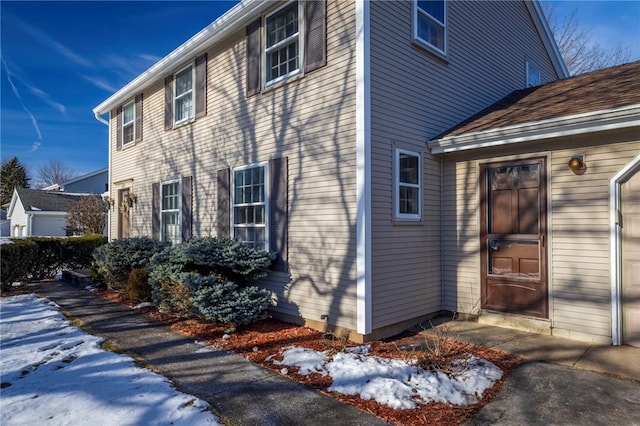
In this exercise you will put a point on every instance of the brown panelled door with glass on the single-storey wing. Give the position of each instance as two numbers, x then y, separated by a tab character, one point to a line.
512	237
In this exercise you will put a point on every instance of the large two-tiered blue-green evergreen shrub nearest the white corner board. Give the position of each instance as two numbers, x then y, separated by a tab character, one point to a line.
206	270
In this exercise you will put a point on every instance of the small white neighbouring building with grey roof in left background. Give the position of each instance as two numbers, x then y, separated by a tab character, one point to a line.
34	212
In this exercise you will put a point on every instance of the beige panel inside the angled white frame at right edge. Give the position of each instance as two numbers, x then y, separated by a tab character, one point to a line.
631	261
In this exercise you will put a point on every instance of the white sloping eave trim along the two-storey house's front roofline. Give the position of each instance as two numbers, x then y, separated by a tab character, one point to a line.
238	16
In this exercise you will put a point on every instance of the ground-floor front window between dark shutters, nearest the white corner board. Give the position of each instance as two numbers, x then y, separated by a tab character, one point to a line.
250	205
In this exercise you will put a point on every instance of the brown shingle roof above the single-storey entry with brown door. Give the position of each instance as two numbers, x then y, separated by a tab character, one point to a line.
604	89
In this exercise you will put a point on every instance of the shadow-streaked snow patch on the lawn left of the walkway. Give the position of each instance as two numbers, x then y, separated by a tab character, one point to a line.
53	373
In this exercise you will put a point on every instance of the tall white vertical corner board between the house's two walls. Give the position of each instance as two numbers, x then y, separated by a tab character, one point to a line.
363	169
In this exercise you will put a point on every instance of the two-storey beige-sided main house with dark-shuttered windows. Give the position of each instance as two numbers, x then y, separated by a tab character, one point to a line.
302	126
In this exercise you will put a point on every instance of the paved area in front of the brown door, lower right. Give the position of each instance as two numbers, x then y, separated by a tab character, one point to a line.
563	382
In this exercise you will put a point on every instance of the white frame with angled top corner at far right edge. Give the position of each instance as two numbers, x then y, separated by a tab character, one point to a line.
615	214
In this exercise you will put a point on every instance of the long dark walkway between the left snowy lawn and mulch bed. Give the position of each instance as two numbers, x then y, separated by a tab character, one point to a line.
241	392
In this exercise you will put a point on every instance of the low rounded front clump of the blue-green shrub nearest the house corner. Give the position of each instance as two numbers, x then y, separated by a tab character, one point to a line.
225	302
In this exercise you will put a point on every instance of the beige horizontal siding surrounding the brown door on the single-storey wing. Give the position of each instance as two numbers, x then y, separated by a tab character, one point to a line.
579	243
